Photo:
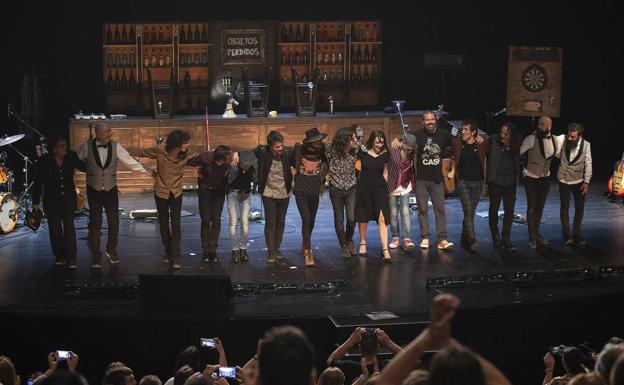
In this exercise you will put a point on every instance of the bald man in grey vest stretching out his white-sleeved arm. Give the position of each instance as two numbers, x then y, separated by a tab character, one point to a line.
101	155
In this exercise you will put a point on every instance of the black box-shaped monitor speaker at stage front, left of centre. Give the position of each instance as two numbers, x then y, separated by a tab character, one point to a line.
184	294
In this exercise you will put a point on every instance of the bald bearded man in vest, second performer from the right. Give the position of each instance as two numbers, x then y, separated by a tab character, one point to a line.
541	147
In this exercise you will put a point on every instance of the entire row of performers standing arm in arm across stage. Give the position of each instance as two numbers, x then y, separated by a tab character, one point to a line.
369	181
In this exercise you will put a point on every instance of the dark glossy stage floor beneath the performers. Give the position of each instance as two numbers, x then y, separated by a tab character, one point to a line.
335	287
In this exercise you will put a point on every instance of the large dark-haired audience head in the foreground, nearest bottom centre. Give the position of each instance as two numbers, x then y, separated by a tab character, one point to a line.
286	357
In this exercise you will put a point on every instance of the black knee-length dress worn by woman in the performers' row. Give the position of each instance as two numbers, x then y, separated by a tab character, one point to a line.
371	195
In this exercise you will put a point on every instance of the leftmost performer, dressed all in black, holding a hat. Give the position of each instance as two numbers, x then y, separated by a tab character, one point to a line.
55	176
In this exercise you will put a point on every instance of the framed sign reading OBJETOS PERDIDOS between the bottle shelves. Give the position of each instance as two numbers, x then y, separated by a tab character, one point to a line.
243	46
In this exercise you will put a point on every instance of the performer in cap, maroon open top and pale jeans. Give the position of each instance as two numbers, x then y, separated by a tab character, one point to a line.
401	183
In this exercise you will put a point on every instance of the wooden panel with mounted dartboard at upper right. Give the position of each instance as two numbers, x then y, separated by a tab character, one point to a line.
534	81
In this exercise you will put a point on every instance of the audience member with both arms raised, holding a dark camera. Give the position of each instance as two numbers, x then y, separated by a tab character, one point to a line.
368	341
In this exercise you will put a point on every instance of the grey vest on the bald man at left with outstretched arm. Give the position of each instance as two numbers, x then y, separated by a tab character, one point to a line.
101	177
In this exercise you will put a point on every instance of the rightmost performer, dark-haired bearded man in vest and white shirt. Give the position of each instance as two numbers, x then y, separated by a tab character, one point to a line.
574	175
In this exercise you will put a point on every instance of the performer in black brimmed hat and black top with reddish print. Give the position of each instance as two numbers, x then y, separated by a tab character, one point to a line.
311	167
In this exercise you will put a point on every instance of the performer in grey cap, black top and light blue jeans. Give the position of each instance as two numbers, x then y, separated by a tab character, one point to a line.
240	180
